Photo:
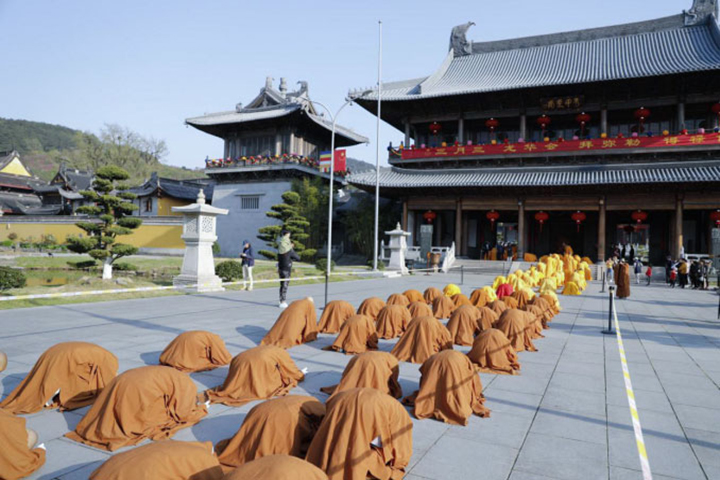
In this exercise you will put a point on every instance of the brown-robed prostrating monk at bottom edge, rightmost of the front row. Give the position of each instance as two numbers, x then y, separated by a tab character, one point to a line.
365	434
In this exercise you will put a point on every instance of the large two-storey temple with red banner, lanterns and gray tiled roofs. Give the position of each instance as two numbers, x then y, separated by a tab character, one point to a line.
588	138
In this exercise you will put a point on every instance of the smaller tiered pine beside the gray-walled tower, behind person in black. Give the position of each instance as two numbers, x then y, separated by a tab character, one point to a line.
291	220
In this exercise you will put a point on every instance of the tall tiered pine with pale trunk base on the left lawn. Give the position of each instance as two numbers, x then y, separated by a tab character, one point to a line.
112	205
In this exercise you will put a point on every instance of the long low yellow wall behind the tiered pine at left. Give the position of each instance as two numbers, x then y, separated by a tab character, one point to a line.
146	236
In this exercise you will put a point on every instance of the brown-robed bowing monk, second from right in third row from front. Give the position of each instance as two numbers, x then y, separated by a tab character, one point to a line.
424	337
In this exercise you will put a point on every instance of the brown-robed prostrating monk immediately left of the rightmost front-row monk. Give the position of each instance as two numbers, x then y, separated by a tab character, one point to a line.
281	426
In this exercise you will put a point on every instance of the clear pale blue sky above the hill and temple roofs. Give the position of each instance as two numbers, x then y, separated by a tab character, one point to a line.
149	65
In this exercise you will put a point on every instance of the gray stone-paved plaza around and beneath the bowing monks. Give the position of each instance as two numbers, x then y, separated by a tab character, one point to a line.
565	417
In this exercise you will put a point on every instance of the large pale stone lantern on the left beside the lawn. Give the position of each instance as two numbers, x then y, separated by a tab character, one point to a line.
198	270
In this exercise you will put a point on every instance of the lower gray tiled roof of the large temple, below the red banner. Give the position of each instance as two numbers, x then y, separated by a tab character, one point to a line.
543	176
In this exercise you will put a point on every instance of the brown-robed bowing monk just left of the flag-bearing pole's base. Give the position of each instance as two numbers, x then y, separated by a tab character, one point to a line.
297	324
